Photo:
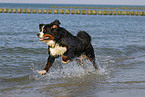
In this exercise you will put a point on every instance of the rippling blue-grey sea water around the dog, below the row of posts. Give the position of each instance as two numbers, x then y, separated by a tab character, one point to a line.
118	41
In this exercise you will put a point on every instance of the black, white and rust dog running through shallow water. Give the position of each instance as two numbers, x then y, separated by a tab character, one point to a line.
63	43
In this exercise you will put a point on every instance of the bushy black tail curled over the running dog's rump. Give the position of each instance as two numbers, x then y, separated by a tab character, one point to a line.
85	36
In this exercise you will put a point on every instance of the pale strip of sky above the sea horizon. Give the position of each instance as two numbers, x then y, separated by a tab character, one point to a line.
105	2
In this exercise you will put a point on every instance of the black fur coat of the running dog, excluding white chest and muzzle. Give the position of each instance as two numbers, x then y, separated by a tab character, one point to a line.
76	45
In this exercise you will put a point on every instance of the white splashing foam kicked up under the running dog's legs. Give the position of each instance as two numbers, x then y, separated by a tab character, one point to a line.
71	70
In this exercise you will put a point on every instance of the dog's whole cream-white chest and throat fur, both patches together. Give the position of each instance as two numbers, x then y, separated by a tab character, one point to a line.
55	49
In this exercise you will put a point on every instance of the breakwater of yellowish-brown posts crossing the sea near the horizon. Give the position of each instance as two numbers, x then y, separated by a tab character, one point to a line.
129	11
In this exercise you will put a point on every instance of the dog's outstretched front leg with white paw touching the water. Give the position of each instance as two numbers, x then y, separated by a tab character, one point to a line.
50	61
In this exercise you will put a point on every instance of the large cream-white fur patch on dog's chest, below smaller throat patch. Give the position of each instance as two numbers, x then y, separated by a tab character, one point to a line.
57	50
